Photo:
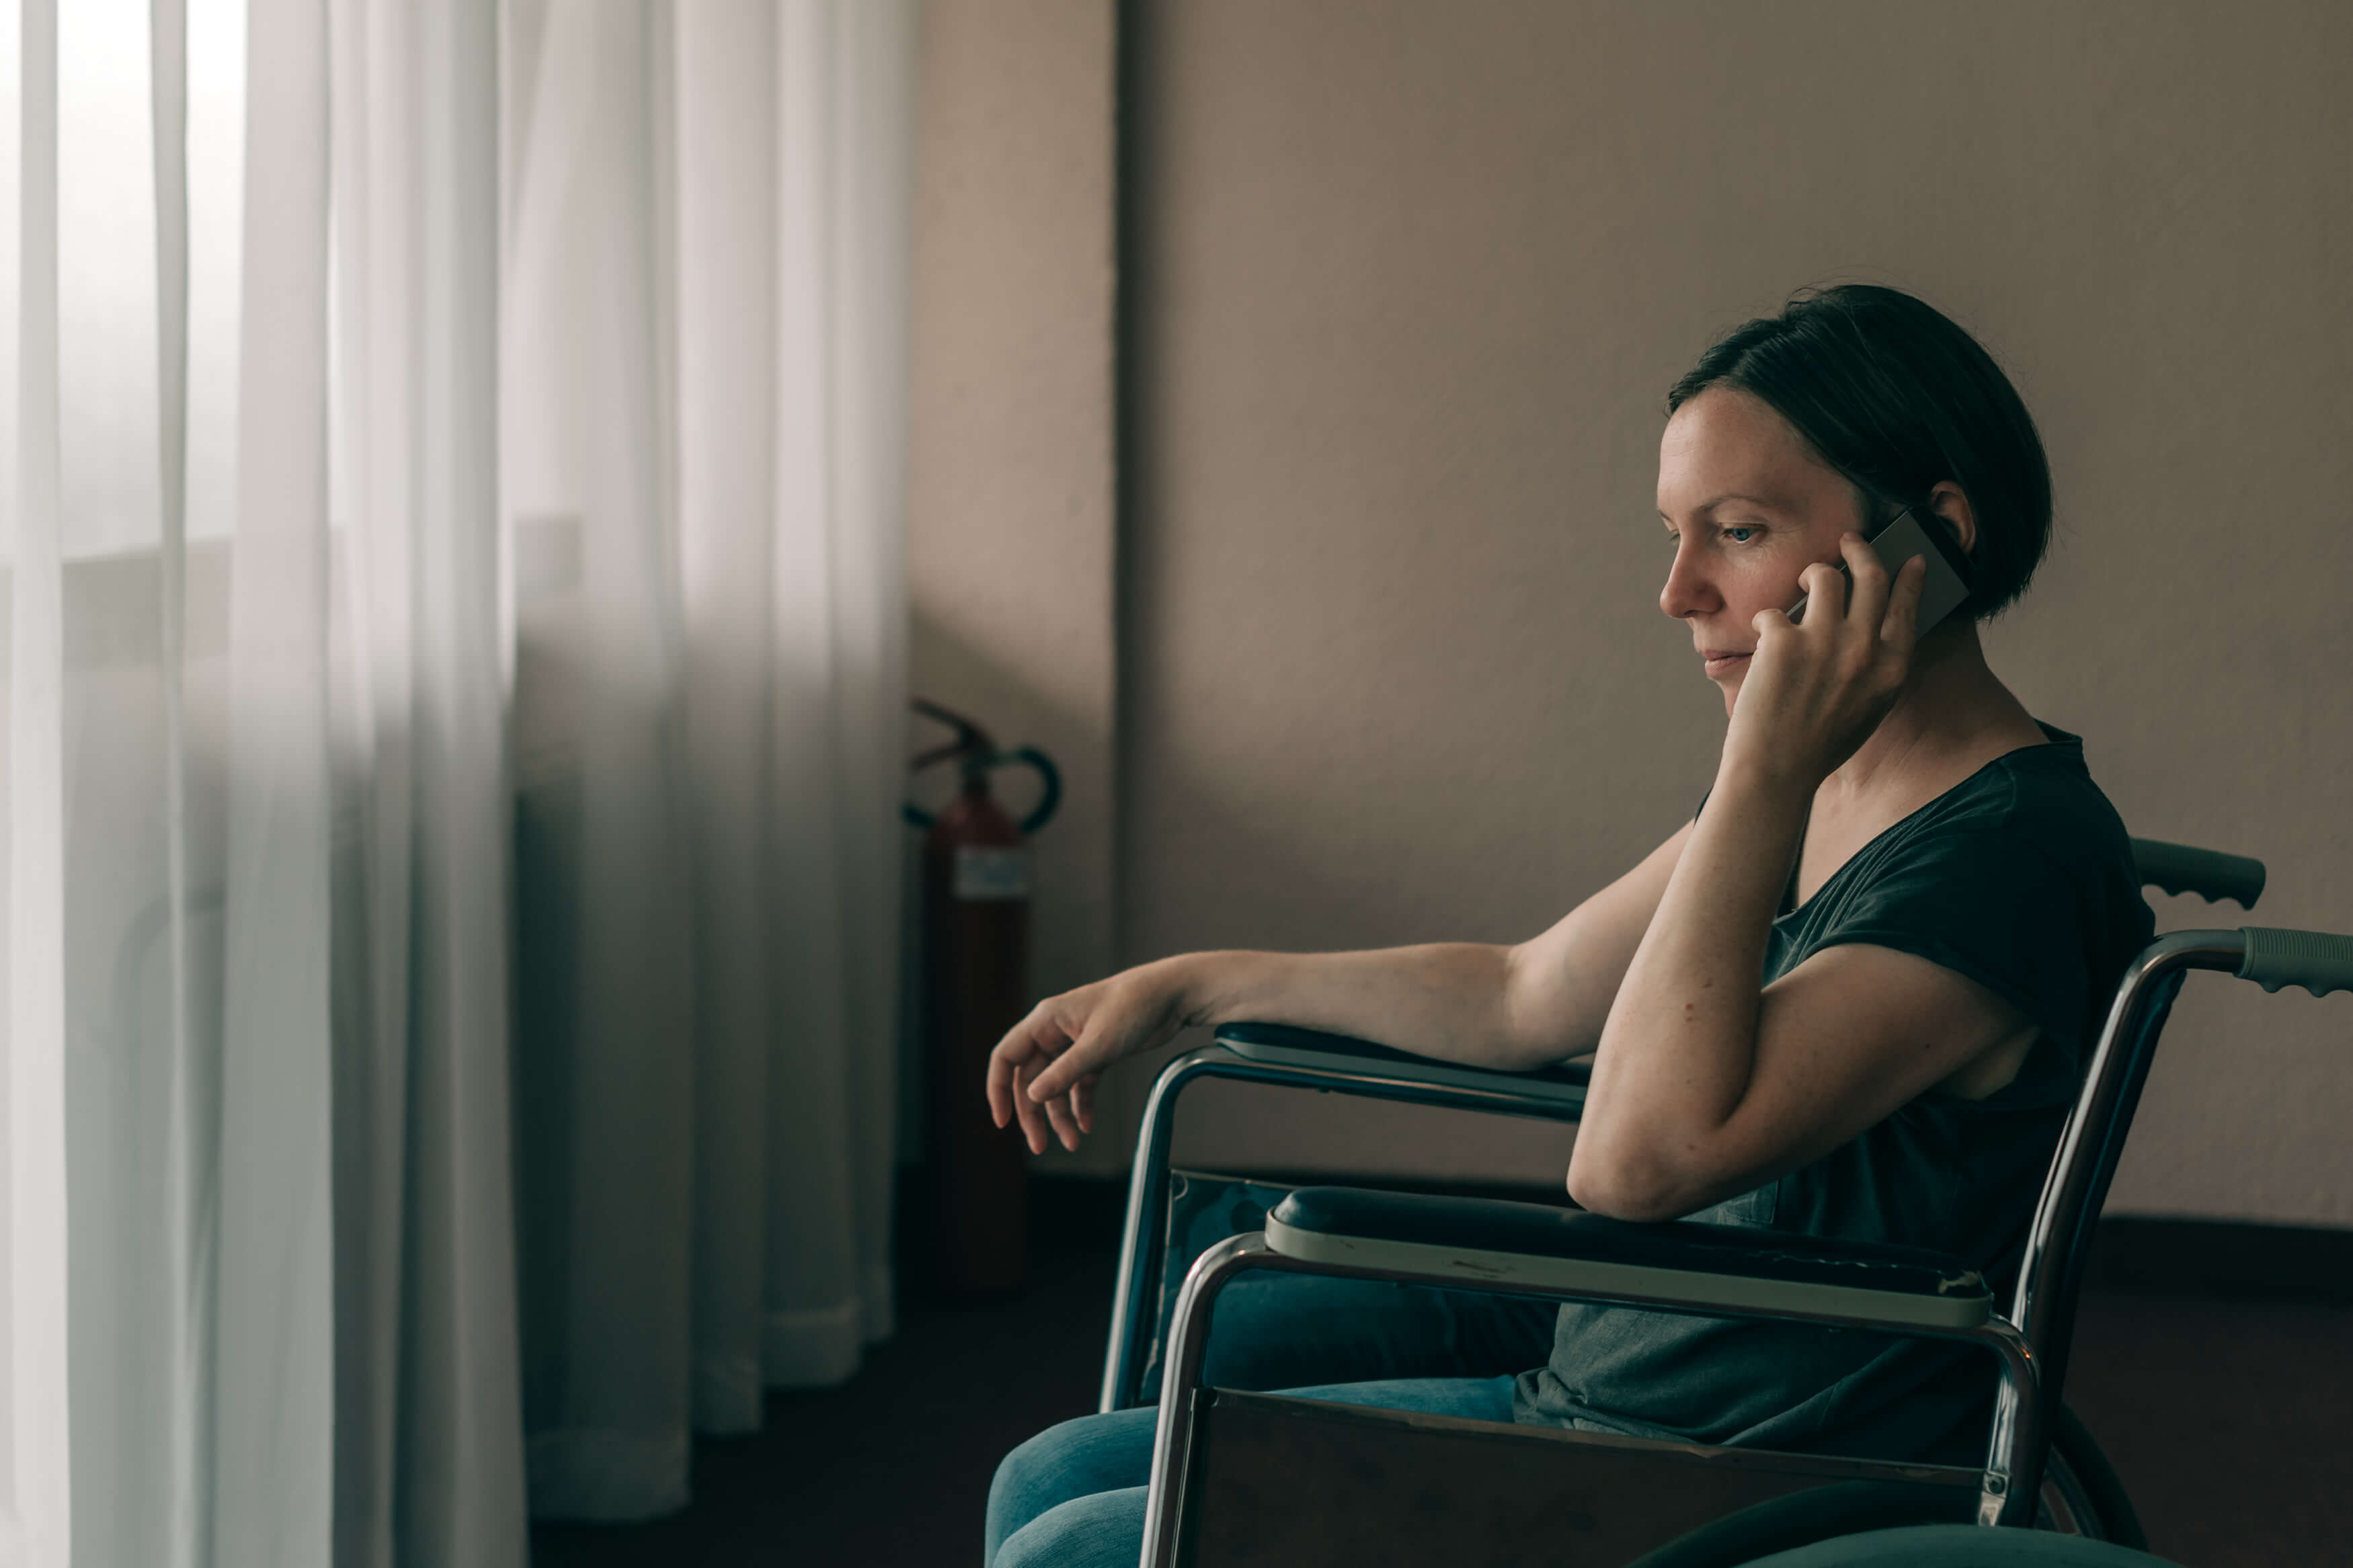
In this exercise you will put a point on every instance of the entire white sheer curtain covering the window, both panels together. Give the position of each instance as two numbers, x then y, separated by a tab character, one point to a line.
371	843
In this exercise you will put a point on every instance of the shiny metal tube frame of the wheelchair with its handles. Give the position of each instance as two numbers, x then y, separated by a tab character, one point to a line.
2029	1343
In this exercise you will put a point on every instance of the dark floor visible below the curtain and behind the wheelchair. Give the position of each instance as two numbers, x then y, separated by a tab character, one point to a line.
2232	1423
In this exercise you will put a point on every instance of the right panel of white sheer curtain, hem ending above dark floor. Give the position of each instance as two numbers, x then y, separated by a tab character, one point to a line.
705	387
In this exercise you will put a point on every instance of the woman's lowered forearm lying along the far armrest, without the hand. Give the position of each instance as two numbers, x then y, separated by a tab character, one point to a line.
1441	1000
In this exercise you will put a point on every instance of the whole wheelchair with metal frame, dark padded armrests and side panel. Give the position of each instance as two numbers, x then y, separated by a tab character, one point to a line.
1389	1487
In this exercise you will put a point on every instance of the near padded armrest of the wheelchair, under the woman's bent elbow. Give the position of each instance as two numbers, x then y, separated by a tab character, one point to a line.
1533	1247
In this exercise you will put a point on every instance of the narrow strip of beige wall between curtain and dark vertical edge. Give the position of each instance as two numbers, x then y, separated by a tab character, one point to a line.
1011	535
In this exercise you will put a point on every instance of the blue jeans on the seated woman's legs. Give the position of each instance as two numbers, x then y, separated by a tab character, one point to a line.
1074	1494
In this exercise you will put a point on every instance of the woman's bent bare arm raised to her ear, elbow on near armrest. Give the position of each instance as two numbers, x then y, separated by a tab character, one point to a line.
1707	1083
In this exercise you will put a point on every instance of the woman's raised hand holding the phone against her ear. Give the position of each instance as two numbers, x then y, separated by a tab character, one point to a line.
1820	688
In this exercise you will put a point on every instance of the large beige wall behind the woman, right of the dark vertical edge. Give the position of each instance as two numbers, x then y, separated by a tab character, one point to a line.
1415	279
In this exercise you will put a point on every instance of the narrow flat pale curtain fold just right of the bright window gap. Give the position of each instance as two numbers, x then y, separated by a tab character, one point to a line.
272	1374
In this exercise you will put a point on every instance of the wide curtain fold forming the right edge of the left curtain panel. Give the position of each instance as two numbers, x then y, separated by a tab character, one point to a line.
429	1459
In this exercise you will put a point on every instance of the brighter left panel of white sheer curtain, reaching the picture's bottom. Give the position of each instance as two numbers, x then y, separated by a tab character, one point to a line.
258	1257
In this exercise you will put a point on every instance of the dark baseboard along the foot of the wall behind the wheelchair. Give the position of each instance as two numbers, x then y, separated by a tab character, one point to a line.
2131	1254
